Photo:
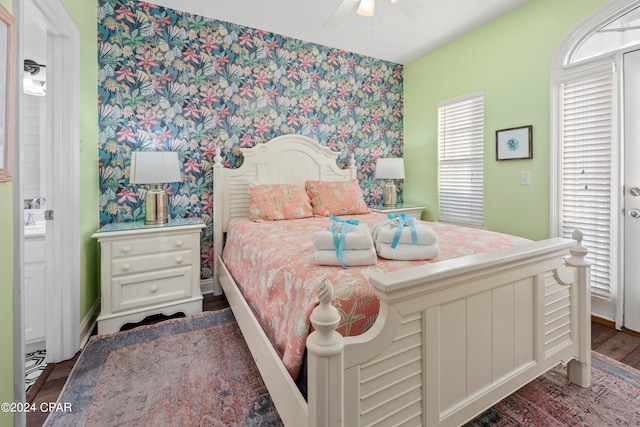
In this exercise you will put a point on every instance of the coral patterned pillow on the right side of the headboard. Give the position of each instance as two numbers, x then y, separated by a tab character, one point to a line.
336	197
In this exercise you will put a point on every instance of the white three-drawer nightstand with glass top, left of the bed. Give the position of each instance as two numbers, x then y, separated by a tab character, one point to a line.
148	269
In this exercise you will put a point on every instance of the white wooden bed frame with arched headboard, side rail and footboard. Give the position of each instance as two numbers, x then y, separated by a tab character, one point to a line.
452	338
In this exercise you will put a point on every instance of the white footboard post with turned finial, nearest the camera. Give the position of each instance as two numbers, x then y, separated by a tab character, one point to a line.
325	365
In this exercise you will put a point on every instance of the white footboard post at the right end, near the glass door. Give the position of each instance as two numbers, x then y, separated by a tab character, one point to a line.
579	371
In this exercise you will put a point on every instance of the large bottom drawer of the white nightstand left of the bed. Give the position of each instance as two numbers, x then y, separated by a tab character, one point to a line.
142	290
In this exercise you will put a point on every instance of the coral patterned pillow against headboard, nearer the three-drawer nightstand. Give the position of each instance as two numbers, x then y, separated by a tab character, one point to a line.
273	202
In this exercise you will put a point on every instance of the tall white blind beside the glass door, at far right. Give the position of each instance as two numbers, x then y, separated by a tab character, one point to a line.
587	130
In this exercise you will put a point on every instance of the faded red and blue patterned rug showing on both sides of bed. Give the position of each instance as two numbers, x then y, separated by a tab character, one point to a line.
198	371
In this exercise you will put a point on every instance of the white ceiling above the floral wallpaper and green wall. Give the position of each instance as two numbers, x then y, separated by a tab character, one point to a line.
391	35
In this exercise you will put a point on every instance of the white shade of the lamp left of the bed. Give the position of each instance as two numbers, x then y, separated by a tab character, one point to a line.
154	167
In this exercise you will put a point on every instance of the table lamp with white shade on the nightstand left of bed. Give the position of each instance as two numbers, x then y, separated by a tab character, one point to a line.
155	168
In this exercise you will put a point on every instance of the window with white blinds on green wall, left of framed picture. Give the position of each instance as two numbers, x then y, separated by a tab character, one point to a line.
460	160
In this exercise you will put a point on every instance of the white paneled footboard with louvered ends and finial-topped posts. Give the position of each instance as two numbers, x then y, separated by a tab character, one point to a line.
453	338
